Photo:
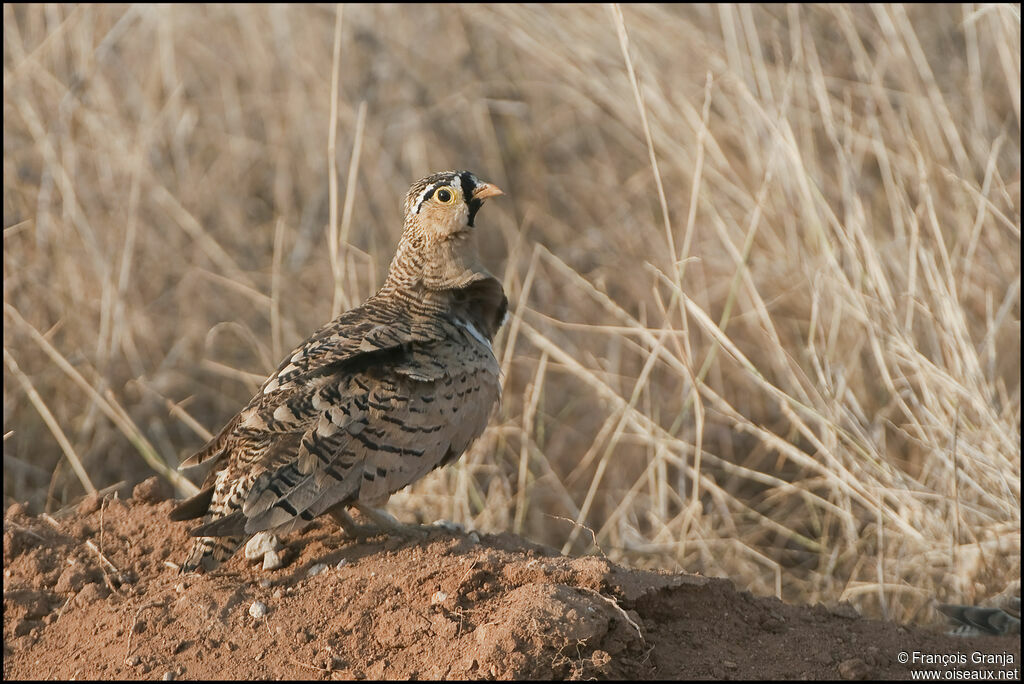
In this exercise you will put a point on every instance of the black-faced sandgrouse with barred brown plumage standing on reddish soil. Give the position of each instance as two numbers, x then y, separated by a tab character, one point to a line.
372	402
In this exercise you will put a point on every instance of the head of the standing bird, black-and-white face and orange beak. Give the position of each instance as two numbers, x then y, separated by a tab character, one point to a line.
444	205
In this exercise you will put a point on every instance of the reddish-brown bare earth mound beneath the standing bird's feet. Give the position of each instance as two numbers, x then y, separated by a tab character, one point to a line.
90	595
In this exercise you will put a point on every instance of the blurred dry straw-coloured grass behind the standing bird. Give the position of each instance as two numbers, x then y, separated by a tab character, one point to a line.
764	265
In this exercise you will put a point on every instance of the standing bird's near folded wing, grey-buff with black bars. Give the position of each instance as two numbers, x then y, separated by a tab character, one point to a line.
370	433
